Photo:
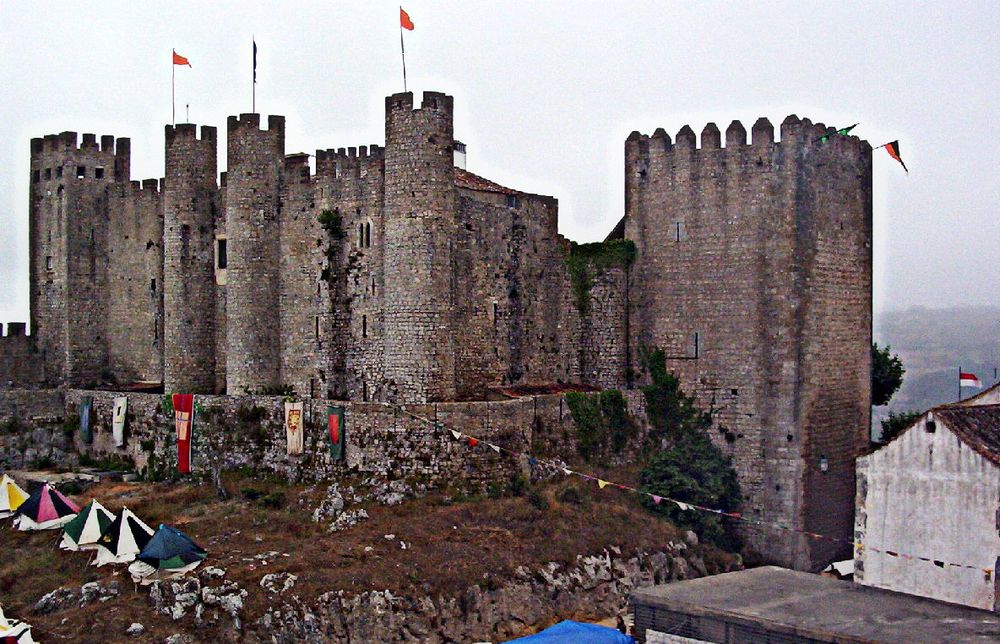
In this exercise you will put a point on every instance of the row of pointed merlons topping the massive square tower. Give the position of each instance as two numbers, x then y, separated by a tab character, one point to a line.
794	131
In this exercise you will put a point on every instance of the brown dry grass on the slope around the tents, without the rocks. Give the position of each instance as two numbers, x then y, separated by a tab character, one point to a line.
450	545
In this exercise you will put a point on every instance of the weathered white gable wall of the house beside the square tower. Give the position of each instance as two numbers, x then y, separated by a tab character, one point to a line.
928	494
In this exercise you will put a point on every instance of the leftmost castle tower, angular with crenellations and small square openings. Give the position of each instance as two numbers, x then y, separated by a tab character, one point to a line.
70	185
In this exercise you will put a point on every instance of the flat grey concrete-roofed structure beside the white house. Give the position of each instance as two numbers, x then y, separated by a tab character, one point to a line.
773	604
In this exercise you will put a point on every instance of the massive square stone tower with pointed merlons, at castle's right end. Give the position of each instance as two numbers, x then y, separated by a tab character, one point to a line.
753	274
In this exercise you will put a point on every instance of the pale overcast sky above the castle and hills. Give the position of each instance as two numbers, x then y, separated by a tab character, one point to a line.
545	95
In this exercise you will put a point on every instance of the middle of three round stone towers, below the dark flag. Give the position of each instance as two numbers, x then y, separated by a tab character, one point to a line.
253	191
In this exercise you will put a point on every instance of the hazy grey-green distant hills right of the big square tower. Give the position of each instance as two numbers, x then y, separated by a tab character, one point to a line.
933	344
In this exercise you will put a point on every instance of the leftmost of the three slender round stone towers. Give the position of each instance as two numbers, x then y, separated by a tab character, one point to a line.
190	206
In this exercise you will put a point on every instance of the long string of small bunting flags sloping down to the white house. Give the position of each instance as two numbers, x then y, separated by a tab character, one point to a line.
657	499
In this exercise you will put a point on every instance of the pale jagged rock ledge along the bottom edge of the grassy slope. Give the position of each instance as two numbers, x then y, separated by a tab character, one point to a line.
594	585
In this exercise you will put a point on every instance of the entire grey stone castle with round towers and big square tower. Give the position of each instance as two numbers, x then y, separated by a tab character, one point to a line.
392	274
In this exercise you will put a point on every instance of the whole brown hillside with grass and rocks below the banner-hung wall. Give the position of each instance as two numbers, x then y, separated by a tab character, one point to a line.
447	566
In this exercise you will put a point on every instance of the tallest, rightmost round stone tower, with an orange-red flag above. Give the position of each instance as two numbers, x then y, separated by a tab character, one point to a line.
421	204
